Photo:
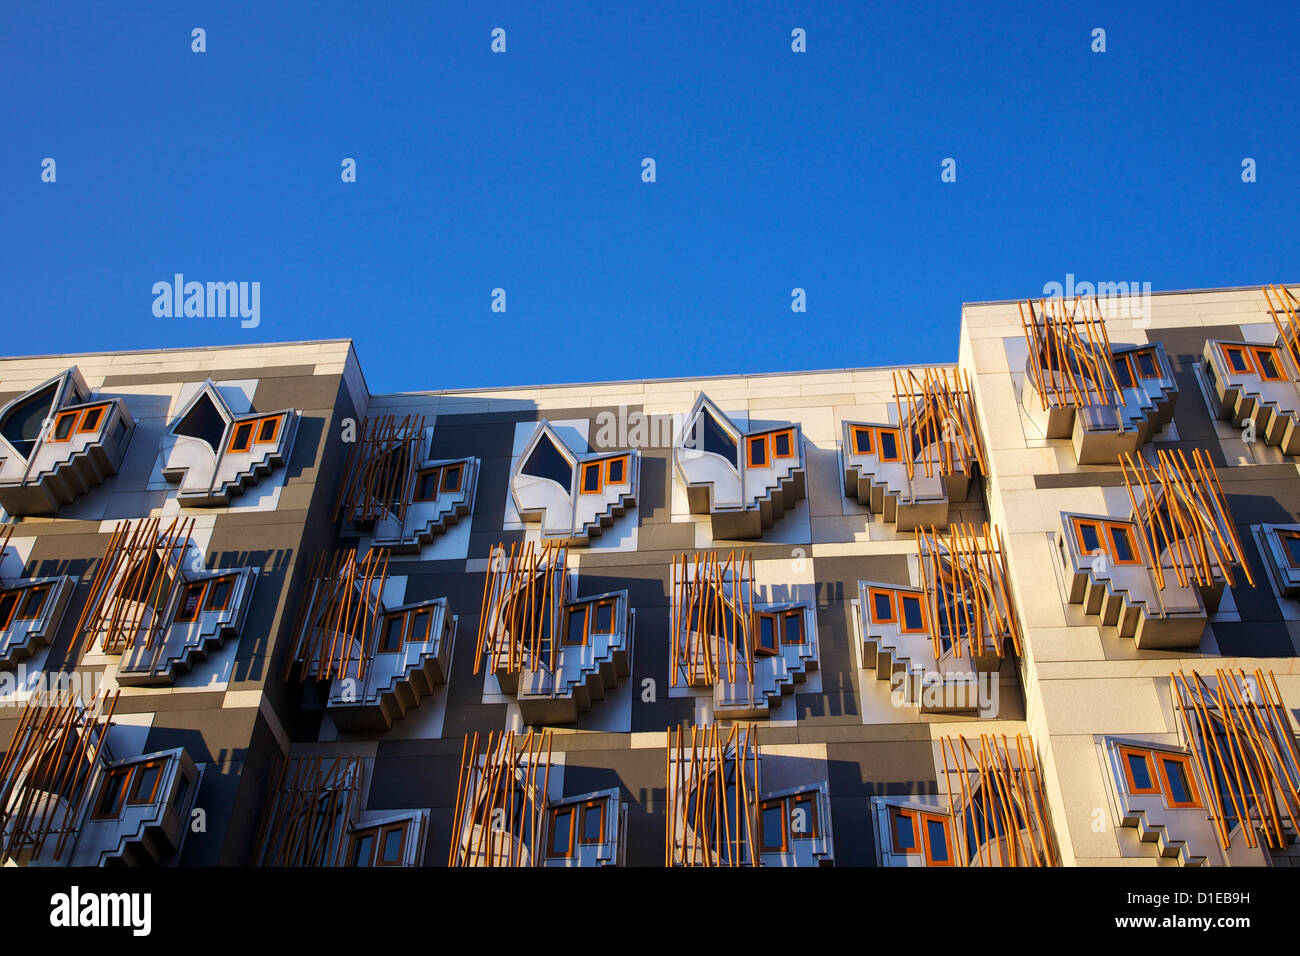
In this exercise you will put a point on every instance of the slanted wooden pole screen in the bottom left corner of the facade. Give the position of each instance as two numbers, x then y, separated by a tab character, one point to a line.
50	771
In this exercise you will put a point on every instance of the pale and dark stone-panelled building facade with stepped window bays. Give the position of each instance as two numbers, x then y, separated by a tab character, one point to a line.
1038	608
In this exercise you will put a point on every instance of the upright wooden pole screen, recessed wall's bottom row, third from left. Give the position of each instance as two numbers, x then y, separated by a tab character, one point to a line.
713	798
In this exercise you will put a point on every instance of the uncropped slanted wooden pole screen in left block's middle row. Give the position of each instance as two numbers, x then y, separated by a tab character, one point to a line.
135	583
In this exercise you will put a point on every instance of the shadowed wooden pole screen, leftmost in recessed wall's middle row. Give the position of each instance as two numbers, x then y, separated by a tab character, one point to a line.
336	624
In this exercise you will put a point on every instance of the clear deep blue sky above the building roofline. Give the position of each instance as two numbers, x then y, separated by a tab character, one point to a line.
523	171
